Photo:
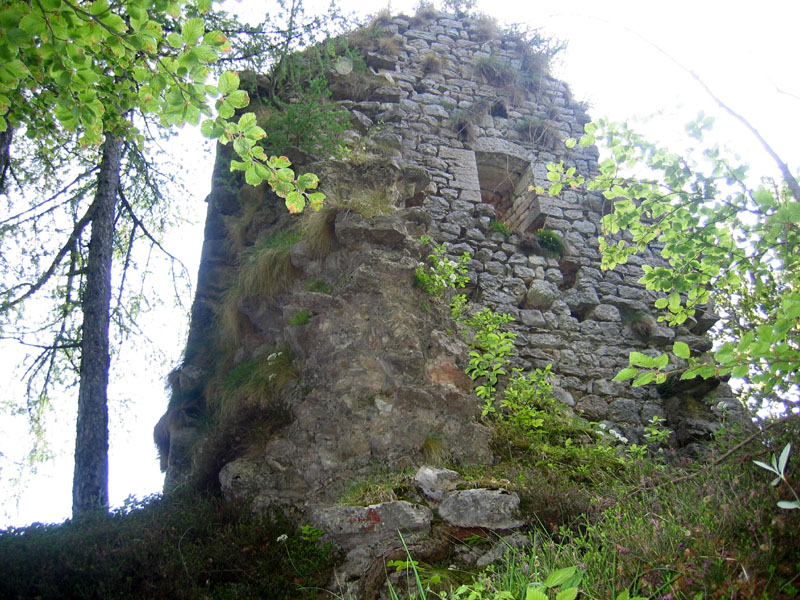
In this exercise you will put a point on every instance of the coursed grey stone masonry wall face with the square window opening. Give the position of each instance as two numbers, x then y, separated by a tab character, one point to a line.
485	138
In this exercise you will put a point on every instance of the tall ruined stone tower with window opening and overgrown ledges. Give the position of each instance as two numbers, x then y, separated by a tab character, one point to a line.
450	126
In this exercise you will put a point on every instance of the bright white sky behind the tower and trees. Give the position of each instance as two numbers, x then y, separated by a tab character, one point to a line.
743	50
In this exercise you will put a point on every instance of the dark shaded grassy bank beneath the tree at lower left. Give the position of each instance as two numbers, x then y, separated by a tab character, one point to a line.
177	547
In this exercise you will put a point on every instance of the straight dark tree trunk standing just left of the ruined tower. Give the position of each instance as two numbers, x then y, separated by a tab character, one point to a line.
90	480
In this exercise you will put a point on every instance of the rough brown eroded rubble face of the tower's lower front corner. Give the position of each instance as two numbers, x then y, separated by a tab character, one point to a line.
379	381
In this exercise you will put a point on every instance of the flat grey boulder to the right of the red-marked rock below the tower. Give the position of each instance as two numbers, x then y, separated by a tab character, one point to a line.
492	509
